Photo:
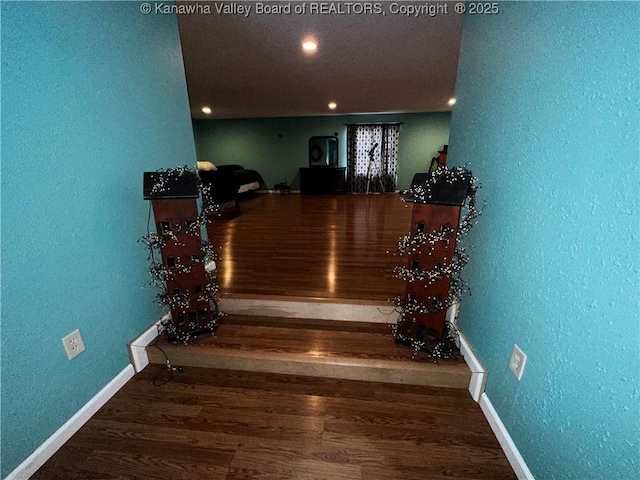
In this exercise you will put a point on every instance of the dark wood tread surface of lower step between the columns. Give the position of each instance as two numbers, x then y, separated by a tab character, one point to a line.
310	340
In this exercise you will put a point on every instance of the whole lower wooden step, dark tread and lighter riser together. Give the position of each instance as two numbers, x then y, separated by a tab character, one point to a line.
317	348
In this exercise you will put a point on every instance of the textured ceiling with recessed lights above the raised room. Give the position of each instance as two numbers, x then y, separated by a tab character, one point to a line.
254	66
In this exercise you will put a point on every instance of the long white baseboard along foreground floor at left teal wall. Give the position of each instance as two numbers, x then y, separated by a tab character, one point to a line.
45	451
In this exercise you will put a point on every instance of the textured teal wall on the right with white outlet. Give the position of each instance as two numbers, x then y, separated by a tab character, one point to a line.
548	119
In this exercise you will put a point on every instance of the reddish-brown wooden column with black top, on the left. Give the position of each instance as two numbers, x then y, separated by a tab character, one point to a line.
175	209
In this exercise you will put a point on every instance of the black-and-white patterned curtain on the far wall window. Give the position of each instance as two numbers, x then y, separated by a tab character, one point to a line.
380	174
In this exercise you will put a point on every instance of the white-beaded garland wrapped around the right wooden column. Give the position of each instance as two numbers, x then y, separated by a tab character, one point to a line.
425	243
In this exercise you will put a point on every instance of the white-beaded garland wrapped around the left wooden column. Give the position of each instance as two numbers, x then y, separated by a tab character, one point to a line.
161	273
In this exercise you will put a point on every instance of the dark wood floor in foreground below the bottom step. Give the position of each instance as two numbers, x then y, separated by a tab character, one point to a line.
215	425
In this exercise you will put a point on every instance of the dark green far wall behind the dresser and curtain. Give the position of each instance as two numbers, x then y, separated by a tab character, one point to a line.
256	143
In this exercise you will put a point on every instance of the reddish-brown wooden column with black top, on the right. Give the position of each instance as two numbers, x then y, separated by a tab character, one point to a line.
434	227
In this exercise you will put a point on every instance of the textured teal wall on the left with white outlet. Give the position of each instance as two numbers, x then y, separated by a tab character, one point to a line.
93	94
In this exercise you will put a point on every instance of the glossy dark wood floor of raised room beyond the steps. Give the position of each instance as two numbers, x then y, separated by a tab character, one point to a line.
323	246
